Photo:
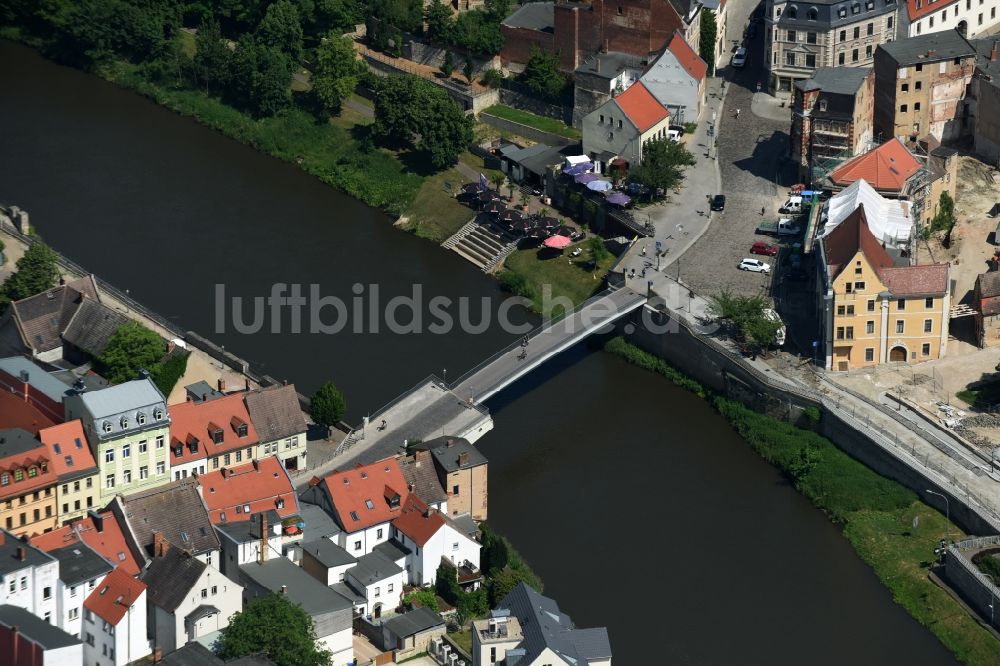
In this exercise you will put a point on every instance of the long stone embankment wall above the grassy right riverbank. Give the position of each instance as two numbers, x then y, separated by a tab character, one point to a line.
723	371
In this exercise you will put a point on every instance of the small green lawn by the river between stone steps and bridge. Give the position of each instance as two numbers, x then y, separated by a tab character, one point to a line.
570	278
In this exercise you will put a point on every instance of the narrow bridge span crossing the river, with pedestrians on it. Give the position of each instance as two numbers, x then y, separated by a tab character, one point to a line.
491	376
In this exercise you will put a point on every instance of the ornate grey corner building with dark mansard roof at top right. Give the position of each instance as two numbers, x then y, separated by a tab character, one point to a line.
800	37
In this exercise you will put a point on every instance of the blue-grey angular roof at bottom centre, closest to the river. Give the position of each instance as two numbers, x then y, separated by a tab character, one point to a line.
545	626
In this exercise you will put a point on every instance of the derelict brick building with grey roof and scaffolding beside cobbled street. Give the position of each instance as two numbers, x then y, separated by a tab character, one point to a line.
831	116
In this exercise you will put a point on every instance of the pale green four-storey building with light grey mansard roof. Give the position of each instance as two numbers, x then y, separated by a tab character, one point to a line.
127	427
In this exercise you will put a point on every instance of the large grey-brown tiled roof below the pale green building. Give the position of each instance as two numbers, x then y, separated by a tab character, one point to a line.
175	509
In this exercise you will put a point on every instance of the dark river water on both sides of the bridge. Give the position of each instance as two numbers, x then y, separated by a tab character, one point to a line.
638	506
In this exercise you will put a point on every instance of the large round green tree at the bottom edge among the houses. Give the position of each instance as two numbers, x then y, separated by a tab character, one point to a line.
279	628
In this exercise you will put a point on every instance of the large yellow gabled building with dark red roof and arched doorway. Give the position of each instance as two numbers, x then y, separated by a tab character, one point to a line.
876	309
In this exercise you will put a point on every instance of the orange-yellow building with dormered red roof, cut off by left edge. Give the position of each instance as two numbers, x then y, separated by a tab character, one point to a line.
27	484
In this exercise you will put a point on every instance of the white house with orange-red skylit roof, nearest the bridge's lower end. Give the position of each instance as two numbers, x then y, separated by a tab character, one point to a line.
363	501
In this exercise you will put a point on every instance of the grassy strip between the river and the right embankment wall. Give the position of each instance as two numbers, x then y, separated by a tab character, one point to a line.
875	513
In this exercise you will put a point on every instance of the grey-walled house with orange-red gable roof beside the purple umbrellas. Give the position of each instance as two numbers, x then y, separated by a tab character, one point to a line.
621	127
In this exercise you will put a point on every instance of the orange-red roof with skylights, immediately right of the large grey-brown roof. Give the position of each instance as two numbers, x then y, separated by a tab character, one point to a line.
233	494
